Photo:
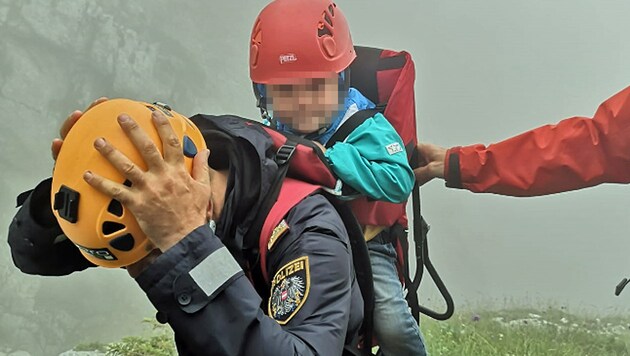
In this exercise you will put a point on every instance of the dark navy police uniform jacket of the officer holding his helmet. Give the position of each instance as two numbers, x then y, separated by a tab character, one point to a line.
314	304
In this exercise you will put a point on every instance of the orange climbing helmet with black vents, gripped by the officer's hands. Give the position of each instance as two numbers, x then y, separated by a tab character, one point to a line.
106	233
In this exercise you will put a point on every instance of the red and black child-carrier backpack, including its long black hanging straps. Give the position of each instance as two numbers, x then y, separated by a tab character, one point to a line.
386	78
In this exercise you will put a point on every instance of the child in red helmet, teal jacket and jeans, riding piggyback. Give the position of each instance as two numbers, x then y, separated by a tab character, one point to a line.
299	58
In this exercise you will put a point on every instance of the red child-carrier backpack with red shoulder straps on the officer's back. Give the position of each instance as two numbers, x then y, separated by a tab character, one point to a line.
386	78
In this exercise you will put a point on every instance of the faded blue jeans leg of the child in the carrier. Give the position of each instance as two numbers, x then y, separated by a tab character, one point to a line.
394	327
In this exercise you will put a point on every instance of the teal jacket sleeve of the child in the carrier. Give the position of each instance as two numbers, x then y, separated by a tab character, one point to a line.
373	161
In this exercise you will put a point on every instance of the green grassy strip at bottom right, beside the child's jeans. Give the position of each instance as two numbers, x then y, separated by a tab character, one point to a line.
525	332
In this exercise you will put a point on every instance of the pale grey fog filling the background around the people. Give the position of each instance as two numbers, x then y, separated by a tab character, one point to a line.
486	70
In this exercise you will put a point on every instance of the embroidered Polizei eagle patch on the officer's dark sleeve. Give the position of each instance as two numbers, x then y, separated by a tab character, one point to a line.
289	290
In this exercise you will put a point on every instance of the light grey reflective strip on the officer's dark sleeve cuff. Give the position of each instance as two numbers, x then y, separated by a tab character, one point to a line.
215	270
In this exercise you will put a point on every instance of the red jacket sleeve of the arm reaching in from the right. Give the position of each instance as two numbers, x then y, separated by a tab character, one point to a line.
575	153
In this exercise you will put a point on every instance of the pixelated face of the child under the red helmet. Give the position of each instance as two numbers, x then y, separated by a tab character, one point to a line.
305	105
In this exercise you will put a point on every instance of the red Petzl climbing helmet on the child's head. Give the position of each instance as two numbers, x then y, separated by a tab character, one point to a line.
299	39
